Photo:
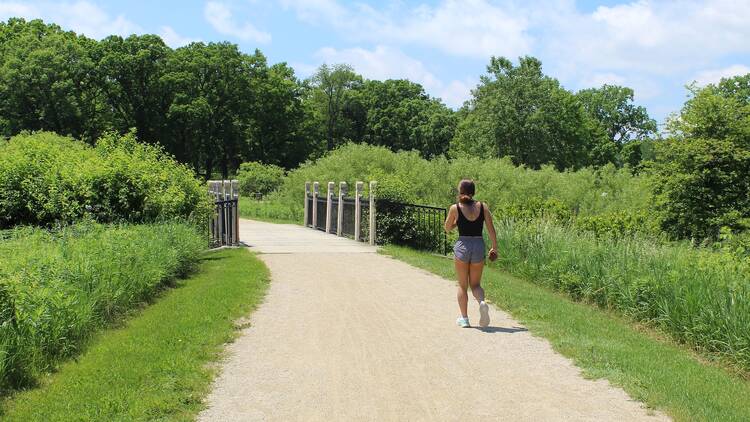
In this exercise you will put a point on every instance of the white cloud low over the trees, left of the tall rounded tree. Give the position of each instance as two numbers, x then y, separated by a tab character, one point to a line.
385	62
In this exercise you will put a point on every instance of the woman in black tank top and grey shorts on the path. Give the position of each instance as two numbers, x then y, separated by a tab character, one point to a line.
470	216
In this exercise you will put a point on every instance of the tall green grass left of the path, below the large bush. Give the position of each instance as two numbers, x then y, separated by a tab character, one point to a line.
56	288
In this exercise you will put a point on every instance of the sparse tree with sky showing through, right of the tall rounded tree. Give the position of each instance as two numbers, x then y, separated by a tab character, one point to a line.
624	123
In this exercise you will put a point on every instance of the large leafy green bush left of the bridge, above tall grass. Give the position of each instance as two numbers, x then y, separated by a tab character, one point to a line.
46	179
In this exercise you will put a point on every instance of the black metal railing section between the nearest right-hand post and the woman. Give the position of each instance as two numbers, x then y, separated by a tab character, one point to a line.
413	225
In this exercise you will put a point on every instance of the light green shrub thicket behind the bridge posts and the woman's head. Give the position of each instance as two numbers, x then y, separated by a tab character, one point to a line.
608	193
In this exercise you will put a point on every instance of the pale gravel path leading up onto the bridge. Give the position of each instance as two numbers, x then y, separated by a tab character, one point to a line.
347	334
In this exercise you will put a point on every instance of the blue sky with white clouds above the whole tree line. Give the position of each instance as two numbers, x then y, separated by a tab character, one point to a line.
654	47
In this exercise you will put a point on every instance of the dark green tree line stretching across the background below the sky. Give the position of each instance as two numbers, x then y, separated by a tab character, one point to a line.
213	106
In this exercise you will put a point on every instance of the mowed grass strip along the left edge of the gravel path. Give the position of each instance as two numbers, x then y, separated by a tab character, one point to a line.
157	366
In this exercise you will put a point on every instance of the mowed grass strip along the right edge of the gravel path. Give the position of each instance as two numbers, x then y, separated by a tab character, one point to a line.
657	372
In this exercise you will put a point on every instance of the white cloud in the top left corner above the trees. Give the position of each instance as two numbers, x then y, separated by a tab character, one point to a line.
82	17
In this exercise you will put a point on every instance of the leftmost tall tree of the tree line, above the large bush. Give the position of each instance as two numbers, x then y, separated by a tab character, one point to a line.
46	81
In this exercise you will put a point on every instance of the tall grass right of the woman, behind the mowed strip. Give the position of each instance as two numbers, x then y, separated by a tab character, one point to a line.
699	297
